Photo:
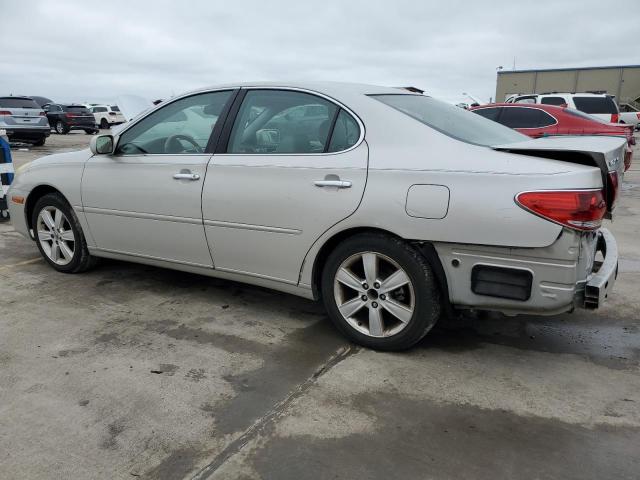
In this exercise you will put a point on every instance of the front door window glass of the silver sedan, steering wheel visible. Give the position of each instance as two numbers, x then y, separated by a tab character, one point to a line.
181	127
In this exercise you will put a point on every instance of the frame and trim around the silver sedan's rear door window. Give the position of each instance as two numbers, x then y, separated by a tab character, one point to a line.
223	143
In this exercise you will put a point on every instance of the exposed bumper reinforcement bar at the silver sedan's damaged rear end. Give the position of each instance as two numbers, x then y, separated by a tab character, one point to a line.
600	281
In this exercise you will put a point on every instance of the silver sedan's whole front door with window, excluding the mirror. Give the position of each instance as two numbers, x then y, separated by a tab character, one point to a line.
145	199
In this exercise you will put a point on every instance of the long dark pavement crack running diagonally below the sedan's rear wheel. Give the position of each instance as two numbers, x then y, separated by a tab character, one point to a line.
274	414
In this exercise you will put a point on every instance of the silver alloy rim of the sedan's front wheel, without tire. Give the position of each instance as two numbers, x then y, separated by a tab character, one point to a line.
55	235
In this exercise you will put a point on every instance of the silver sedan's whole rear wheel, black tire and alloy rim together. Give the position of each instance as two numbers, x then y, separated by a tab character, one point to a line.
373	323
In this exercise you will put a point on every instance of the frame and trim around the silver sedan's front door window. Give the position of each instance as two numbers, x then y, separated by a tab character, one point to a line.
213	138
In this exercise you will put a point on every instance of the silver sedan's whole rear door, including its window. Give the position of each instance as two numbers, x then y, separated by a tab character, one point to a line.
293	164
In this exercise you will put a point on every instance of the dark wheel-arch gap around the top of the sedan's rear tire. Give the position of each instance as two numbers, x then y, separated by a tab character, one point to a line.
426	249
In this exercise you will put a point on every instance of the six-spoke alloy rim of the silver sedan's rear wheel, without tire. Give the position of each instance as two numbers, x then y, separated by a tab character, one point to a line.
374	294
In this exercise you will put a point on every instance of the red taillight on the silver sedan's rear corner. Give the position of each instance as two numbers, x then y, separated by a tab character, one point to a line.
578	209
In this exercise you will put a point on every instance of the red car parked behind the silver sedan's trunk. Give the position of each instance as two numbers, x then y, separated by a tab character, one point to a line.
539	120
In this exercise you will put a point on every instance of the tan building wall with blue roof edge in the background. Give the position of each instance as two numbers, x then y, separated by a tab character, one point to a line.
623	82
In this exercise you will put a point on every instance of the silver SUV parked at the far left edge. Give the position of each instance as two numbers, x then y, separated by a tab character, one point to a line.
24	120
